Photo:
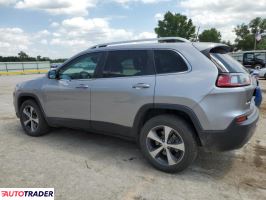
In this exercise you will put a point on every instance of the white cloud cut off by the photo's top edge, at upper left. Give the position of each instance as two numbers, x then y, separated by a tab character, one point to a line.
57	7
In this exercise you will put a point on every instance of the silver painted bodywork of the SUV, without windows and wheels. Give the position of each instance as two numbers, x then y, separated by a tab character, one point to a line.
117	100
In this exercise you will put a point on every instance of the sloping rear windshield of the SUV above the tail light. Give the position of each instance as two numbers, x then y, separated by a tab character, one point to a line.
229	63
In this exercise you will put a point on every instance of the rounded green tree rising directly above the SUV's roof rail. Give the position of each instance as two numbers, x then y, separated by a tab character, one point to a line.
175	25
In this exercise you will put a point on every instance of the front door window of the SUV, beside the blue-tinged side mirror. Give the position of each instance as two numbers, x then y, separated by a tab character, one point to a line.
82	67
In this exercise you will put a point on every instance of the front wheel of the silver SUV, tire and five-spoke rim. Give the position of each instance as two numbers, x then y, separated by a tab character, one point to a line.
32	119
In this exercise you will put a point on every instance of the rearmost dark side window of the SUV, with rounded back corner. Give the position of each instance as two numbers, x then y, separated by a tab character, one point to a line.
167	61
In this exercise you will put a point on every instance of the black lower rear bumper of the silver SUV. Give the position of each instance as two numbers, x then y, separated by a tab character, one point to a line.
234	137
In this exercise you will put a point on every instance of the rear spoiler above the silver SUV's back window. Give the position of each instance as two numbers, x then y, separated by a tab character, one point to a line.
206	48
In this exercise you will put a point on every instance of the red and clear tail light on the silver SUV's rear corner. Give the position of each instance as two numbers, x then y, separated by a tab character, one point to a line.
233	80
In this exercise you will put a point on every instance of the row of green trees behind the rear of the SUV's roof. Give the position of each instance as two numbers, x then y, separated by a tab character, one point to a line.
178	25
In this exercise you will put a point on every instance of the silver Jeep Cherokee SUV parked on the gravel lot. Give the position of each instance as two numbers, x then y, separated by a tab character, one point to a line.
171	95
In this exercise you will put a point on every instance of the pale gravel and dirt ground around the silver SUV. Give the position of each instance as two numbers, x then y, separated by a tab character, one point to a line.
82	165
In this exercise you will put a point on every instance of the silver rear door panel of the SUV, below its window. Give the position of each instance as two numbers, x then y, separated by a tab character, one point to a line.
117	100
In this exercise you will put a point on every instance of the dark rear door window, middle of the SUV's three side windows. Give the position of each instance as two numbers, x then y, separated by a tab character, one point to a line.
126	63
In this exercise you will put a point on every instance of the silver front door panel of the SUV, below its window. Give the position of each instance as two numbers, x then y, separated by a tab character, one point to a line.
67	99
